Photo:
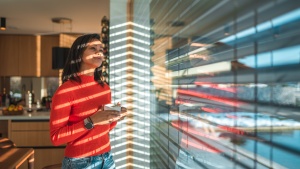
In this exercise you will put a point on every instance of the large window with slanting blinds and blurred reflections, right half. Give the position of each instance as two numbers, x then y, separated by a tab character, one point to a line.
226	84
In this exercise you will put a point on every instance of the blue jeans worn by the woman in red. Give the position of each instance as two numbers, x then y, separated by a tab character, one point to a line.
103	161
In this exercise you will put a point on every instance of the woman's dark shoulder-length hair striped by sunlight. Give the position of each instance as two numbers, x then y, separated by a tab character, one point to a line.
74	60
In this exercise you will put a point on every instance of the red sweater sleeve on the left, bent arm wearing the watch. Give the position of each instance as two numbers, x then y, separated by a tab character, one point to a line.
60	131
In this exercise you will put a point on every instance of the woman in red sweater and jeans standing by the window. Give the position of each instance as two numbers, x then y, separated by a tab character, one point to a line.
77	116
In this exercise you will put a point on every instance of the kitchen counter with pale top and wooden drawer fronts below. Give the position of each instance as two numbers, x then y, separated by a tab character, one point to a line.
32	130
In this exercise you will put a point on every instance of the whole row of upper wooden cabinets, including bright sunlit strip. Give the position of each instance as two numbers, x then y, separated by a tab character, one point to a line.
29	55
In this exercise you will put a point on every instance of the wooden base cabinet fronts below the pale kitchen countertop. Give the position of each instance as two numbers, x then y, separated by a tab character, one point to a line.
35	134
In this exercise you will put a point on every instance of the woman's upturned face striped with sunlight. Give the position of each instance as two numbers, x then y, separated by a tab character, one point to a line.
92	56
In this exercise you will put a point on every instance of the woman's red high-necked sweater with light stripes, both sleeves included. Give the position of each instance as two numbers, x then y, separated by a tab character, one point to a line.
71	104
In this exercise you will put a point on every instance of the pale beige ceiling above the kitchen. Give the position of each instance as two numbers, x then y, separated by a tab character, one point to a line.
34	17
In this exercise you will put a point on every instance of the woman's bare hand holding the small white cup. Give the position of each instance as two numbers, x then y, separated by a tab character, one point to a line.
103	117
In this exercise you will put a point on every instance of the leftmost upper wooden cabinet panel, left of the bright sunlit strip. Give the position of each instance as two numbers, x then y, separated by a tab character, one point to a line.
18	55
